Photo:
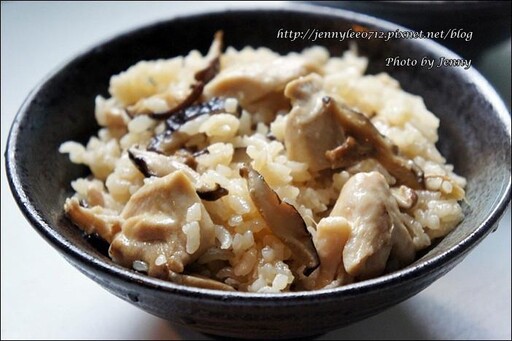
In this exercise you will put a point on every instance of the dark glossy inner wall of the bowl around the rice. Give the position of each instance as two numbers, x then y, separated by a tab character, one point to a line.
474	132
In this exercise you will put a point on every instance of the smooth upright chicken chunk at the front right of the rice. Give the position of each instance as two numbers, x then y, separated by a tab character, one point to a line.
377	231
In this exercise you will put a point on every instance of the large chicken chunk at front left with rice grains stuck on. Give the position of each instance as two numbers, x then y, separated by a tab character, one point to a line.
155	231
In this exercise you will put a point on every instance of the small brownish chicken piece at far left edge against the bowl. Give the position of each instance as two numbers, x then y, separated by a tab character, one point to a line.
106	223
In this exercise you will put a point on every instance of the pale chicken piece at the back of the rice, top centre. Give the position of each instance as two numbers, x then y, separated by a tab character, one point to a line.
259	86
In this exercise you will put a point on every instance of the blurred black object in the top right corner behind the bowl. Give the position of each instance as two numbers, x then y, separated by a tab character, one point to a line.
488	21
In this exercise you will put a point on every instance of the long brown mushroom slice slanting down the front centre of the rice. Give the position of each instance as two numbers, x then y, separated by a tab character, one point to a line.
282	218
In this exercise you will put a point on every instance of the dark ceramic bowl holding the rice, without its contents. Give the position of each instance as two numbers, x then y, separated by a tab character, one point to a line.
475	137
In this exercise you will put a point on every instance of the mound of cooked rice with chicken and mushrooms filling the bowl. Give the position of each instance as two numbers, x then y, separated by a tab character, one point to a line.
253	171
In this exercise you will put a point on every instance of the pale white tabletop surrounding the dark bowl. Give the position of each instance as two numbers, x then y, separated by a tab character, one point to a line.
43	297
